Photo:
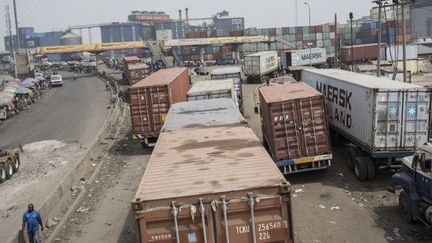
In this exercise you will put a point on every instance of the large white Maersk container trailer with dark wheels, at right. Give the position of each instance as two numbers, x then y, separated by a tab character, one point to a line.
382	120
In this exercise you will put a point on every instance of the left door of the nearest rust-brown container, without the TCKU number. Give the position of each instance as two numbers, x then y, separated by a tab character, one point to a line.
160	227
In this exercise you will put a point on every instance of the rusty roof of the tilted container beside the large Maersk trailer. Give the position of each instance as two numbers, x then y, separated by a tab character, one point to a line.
289	91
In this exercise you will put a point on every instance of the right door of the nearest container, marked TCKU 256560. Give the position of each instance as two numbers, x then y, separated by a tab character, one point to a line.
270	221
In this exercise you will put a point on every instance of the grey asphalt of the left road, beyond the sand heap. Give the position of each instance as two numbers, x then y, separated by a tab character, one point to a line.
75	111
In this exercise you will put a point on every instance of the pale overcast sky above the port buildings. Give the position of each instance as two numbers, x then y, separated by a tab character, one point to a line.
47	15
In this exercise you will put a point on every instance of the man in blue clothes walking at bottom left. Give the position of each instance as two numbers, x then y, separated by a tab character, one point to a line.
33	219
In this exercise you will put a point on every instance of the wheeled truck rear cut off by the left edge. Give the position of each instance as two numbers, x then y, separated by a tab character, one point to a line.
9	163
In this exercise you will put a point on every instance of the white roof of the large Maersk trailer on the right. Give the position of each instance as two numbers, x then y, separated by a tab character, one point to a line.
363	80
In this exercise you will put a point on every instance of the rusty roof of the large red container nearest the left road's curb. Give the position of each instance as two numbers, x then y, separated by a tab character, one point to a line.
161	77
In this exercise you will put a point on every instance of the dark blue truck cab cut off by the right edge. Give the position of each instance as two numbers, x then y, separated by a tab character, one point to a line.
415	180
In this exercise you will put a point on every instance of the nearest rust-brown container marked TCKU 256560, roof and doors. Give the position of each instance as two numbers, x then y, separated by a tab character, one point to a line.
212	184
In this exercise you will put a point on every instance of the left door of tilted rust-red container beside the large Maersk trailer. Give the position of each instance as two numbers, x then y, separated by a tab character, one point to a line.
286	130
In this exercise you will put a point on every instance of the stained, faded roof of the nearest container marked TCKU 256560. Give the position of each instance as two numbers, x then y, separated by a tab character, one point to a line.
190	162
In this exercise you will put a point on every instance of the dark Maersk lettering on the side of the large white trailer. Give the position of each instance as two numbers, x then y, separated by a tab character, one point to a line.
341	98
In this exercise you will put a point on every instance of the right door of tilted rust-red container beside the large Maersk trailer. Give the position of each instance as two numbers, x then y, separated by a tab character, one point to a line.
313	127
